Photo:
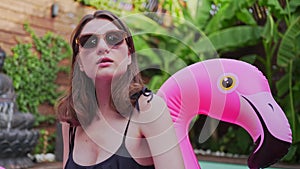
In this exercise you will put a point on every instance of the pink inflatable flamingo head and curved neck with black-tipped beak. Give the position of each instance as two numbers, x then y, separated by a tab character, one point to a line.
232	91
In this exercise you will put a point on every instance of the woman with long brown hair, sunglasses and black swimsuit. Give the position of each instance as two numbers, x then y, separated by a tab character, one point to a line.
109	119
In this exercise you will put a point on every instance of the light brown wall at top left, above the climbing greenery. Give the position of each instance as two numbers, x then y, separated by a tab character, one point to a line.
14	13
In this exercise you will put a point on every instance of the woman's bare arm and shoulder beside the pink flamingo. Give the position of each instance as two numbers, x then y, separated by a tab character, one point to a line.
160	134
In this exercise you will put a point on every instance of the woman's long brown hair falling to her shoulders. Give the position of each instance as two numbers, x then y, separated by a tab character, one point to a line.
81	88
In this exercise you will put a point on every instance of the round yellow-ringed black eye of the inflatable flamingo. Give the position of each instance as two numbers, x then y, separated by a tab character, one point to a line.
227	83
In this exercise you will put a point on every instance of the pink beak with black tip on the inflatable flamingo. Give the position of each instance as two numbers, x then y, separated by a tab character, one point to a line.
273	140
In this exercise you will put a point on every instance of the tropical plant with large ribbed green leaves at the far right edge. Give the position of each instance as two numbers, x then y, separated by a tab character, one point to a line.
288	86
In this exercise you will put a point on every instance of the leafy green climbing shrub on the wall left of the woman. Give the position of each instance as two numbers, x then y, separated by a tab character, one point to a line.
33	68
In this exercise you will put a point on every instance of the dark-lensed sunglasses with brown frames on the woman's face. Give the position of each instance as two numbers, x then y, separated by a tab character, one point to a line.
111	38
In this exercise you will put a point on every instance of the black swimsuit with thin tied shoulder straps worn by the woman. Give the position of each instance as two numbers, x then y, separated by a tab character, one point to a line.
120	160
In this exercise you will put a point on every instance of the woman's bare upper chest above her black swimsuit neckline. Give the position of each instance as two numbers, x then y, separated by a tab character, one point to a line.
95	146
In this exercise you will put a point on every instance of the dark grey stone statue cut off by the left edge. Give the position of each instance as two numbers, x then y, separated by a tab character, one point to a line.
17	138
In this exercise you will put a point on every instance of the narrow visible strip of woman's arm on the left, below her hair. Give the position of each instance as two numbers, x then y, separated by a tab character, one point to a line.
65	135
